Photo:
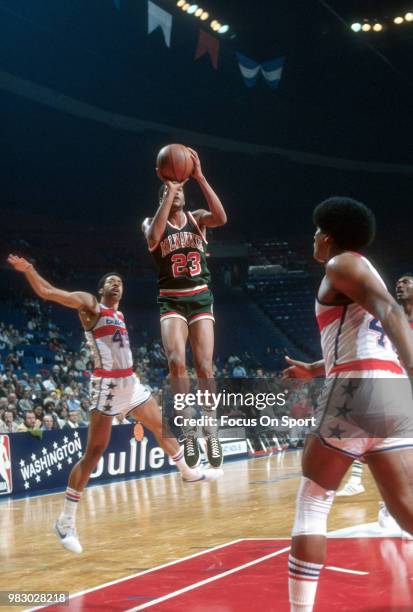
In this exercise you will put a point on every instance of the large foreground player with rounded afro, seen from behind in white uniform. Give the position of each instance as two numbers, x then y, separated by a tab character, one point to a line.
366	390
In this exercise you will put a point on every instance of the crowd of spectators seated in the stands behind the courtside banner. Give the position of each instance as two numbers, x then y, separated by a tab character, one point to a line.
54	392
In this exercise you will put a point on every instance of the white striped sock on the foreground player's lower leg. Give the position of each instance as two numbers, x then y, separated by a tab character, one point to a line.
302	584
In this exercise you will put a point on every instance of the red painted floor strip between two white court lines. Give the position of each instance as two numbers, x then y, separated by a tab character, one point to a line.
161	581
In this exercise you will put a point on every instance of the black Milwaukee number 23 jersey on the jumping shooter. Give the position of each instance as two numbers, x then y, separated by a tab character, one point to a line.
180	256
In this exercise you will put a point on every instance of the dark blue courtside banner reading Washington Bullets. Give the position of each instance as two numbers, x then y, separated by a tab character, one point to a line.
29	464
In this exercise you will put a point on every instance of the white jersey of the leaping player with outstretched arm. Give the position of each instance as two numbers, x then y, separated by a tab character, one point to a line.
109	343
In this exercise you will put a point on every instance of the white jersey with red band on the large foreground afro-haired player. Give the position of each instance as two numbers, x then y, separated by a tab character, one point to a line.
352	340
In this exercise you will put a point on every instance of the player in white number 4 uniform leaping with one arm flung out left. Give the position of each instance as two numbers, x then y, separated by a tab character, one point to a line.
115	388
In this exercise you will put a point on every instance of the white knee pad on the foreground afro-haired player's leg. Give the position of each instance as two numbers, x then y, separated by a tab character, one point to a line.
312	508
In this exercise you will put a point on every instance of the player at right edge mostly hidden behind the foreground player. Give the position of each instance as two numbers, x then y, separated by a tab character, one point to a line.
354	485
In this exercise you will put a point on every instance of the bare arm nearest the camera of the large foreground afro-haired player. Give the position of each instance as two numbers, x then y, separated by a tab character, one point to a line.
351	276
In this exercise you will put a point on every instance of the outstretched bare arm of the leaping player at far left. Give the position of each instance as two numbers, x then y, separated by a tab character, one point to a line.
76	299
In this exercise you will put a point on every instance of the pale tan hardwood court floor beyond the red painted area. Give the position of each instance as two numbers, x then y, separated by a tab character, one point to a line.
131	526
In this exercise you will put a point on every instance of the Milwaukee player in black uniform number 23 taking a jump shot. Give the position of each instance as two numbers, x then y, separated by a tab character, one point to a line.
177	240
